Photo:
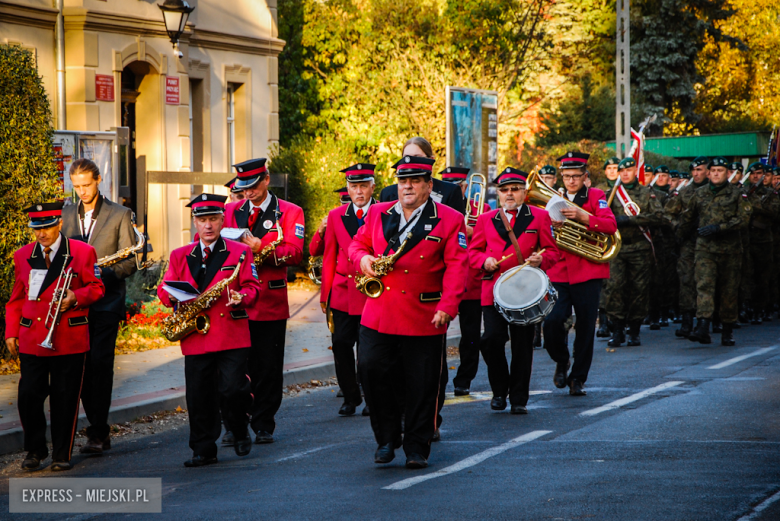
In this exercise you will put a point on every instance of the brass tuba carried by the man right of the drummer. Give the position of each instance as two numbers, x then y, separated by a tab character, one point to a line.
574	237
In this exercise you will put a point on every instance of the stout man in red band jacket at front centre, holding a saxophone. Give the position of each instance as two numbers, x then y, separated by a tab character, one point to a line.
406	325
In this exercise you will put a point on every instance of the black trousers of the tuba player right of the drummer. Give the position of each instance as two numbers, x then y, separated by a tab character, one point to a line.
584	297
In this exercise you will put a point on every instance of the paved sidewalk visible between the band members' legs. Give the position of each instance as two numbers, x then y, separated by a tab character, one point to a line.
153	381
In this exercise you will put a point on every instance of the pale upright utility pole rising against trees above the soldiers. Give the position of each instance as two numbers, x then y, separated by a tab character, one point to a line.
623	81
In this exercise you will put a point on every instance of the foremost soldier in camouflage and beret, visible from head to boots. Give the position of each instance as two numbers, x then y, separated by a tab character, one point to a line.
715	215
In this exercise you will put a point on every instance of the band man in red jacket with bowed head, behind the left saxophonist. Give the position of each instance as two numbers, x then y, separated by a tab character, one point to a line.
263	214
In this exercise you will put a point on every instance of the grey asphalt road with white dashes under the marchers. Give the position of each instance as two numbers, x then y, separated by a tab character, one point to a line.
669	430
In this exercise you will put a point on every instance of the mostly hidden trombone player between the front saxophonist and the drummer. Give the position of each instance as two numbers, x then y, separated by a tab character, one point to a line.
470	308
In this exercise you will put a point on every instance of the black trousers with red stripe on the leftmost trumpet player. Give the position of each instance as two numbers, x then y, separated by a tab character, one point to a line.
59	378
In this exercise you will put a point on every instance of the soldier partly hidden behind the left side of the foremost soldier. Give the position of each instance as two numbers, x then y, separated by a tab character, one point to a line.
686	258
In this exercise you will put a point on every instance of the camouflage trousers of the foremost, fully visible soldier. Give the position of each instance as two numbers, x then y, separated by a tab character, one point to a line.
715	273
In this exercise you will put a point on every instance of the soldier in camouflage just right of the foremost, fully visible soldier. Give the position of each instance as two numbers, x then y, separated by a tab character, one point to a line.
766	205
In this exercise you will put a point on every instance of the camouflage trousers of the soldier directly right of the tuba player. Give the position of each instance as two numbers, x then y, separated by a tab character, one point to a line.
628	288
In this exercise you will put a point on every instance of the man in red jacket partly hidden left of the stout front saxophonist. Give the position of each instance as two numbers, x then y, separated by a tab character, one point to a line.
338	279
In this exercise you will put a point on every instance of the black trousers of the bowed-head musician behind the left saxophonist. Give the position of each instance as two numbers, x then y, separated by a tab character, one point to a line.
266	366
